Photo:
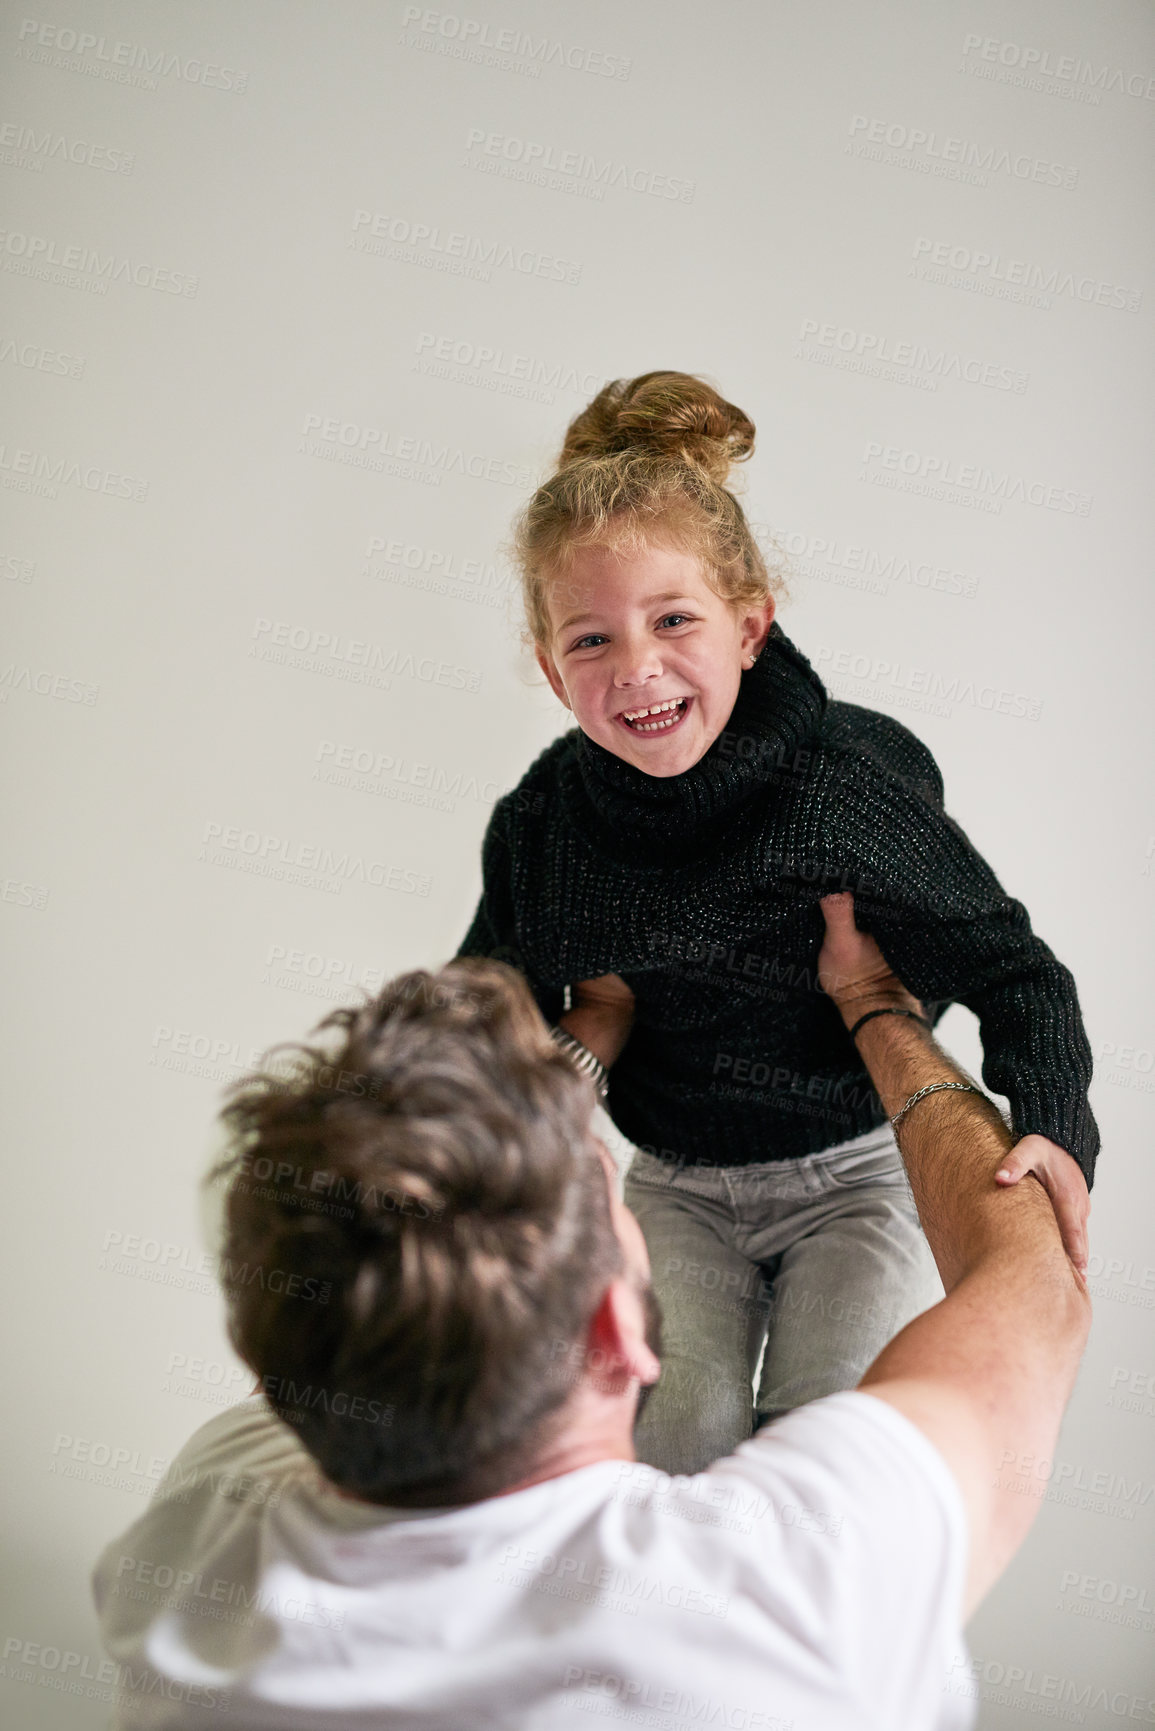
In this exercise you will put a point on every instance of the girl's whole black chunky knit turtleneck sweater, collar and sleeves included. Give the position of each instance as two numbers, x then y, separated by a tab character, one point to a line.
702	892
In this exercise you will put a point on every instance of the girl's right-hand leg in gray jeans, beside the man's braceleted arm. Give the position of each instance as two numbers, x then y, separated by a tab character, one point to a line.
856	1273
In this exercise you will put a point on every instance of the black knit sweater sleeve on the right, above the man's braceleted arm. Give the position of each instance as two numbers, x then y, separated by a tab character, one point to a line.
953	936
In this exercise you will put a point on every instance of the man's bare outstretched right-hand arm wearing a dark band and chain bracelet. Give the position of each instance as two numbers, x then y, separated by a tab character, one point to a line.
986	1374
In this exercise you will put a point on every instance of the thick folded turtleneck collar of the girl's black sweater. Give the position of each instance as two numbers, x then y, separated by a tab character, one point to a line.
780	704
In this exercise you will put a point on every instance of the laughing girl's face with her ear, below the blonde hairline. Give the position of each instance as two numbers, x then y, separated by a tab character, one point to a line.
647	655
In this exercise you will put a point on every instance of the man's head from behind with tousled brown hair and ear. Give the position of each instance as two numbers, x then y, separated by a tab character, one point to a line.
427	1263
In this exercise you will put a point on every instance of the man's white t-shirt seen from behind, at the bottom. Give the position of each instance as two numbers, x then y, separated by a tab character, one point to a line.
813	1581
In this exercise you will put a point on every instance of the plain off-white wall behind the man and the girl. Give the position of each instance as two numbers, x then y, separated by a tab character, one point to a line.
299	302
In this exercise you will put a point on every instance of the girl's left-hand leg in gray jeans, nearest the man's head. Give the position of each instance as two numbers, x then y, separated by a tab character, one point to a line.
714	1310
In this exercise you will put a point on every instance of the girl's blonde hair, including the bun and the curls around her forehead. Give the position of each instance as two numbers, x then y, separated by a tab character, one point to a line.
645	465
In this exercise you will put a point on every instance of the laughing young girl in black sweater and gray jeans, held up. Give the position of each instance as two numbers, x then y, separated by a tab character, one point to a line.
657	880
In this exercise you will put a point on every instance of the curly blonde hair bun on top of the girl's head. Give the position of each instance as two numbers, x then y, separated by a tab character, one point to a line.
671	415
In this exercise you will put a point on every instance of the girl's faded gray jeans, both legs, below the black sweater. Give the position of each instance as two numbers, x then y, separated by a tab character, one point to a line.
820	1261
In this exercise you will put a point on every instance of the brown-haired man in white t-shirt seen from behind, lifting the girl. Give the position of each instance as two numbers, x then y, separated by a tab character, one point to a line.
448	1306
